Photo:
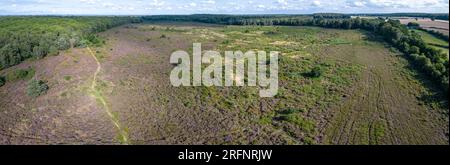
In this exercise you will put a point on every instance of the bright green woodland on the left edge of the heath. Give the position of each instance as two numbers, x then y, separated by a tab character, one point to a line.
37	36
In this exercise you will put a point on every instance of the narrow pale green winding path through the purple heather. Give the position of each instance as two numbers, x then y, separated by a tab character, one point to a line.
96	93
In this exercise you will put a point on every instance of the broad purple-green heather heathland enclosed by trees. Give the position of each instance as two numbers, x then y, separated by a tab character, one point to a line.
365	94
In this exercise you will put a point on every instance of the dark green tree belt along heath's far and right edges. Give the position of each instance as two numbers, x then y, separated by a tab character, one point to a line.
432	62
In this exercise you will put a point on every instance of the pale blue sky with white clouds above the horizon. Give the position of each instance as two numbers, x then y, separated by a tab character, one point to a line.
150	7
